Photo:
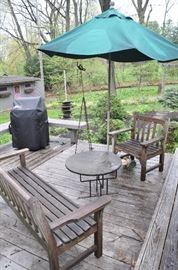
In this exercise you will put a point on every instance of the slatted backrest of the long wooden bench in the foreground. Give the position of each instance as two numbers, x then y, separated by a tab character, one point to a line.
21	202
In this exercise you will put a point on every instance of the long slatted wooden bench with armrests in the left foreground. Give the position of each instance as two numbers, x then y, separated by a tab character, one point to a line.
55	221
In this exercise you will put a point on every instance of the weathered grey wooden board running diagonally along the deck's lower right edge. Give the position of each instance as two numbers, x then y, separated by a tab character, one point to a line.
151	252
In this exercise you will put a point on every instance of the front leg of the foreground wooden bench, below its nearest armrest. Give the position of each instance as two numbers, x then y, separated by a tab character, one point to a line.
98	236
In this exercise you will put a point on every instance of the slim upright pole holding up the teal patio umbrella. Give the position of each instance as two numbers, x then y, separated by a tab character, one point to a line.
109	100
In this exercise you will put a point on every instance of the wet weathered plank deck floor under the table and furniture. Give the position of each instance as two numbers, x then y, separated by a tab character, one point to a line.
126	219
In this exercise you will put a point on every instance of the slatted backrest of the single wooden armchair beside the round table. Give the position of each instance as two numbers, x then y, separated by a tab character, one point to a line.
147	127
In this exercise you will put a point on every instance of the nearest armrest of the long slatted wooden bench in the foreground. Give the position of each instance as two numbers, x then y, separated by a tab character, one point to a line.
81	212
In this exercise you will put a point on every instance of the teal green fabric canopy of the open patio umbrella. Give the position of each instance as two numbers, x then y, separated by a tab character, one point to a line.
113	36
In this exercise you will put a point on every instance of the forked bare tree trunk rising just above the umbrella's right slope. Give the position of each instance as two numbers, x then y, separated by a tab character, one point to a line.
141	7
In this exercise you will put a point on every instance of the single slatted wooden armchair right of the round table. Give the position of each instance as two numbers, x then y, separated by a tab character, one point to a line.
148	137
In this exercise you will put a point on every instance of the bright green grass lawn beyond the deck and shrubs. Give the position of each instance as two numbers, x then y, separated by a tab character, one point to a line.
133	99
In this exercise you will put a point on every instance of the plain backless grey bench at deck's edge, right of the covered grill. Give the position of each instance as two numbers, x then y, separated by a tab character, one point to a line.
71	125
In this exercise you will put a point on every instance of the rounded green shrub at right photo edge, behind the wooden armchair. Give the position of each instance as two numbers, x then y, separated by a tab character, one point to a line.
170	98
